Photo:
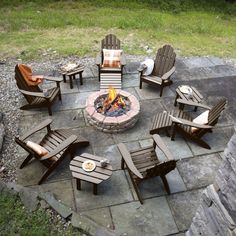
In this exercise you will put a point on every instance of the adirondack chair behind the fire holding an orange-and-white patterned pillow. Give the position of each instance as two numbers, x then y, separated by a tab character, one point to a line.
110	42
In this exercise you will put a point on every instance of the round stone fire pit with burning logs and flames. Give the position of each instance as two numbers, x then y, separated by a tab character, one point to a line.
112	111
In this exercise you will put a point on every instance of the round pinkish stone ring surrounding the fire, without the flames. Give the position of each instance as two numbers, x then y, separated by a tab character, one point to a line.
112	124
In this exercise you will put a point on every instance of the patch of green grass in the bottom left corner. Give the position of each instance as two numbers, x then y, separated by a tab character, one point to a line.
16	220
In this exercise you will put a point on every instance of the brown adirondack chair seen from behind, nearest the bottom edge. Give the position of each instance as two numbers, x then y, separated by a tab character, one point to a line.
144	163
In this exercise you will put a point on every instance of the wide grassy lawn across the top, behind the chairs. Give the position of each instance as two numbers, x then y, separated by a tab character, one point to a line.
29	28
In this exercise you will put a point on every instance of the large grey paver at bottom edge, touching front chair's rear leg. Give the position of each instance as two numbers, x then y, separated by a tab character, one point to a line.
152	218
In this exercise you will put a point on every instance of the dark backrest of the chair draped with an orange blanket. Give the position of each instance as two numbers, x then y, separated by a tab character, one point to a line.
22	84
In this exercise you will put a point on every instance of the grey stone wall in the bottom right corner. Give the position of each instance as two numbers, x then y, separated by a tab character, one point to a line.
216	214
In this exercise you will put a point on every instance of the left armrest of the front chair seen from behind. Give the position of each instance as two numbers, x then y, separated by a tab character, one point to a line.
128	160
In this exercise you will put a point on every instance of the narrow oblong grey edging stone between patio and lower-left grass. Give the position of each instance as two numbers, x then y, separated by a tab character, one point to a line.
60	208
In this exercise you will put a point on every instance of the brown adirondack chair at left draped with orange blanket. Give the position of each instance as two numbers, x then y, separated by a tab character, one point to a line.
34	95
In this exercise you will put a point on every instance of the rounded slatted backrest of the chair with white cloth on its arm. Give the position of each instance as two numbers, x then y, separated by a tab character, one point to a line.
165	60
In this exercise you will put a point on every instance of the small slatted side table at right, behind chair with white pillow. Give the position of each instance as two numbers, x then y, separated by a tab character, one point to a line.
196	97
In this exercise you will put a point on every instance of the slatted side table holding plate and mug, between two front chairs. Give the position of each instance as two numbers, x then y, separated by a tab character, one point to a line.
95	177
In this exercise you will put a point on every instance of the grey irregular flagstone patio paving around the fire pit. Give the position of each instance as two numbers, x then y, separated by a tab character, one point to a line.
116	206
